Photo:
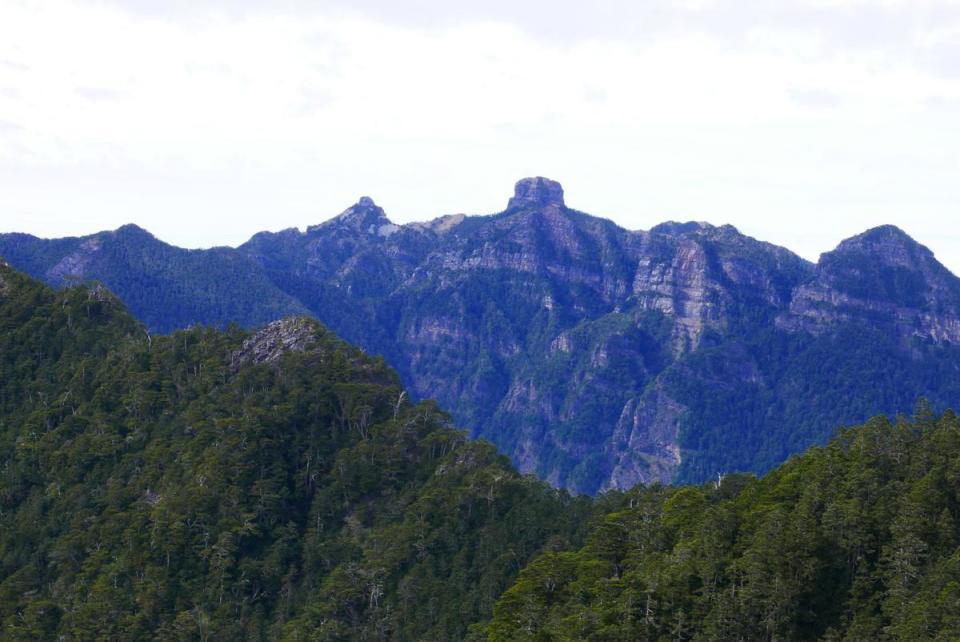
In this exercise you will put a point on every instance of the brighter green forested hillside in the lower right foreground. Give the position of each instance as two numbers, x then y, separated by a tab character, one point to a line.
857	540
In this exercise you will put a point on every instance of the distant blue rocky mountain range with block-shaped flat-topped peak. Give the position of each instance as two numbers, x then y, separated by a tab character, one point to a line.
594	356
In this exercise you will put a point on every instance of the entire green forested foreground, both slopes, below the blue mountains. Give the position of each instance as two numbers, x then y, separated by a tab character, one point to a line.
279	485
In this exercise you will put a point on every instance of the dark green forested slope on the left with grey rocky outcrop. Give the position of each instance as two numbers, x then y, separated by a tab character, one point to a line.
229	486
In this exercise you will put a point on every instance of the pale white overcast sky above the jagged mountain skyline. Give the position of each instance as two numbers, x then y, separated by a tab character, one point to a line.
801	122
